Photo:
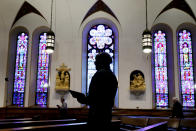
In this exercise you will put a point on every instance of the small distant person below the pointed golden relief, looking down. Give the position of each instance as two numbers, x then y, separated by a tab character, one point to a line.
62	108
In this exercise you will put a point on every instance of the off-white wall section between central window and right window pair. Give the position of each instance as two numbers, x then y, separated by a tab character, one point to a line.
131	15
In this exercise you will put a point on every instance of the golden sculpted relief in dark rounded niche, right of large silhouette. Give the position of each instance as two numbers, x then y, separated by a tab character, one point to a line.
137	84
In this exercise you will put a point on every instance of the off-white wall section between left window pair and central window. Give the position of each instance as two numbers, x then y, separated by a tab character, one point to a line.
68	47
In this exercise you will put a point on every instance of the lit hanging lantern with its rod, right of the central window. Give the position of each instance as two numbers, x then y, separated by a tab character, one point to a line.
146	37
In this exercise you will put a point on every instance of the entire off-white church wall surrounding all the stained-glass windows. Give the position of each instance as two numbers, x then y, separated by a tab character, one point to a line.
67	18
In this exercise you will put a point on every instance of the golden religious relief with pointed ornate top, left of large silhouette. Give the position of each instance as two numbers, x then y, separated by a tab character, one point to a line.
62	78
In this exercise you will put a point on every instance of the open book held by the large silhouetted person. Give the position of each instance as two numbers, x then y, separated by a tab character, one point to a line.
81	98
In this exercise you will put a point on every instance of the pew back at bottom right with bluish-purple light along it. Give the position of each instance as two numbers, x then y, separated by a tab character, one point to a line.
162	126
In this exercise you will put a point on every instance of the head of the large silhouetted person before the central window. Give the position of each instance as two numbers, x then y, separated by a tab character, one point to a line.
103	61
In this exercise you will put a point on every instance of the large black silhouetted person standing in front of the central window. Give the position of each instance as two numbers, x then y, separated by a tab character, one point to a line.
101	94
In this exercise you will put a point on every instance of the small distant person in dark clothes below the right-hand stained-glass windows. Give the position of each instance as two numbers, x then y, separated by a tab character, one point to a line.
177	109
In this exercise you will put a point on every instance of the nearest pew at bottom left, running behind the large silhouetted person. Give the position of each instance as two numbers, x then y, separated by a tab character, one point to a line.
69	126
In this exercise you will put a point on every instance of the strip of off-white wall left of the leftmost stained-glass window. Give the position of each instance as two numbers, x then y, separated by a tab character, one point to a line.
6	19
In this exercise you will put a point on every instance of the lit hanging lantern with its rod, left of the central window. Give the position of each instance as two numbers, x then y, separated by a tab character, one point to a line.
50	39
